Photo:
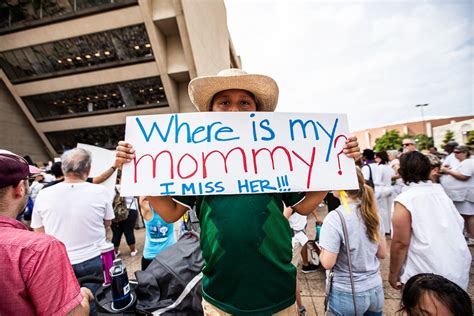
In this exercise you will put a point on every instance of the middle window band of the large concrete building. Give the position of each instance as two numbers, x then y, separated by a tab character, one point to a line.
103	99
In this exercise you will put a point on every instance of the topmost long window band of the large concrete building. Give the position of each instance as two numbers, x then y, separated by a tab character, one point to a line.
84	53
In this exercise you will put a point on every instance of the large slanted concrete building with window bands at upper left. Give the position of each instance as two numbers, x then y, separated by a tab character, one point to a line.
72	70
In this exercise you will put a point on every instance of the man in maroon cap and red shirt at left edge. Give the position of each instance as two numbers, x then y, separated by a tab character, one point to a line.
37	278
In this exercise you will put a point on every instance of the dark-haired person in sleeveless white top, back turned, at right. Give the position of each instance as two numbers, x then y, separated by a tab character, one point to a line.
427	229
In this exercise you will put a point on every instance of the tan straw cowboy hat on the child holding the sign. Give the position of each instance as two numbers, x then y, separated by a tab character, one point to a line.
202	89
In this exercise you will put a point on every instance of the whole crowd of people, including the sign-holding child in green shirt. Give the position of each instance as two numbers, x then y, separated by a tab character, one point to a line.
424	203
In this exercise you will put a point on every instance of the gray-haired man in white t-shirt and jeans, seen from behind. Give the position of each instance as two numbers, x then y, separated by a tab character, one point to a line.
76	212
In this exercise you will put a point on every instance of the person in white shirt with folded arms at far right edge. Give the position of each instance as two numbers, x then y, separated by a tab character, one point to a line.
458	182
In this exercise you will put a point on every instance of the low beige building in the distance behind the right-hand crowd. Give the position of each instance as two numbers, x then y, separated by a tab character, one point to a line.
367	137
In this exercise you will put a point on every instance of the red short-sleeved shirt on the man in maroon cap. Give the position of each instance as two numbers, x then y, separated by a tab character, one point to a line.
36	277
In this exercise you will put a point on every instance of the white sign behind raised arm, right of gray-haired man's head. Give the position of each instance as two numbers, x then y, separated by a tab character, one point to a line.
102	159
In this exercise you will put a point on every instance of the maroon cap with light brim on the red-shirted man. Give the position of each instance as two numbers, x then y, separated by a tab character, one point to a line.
14	168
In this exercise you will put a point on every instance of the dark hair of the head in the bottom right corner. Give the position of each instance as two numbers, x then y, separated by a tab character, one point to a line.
448	293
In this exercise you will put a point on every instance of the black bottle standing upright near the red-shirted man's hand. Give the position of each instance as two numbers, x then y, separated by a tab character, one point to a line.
121	297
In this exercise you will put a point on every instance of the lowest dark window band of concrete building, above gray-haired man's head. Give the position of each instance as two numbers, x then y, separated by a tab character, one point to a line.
105	137
